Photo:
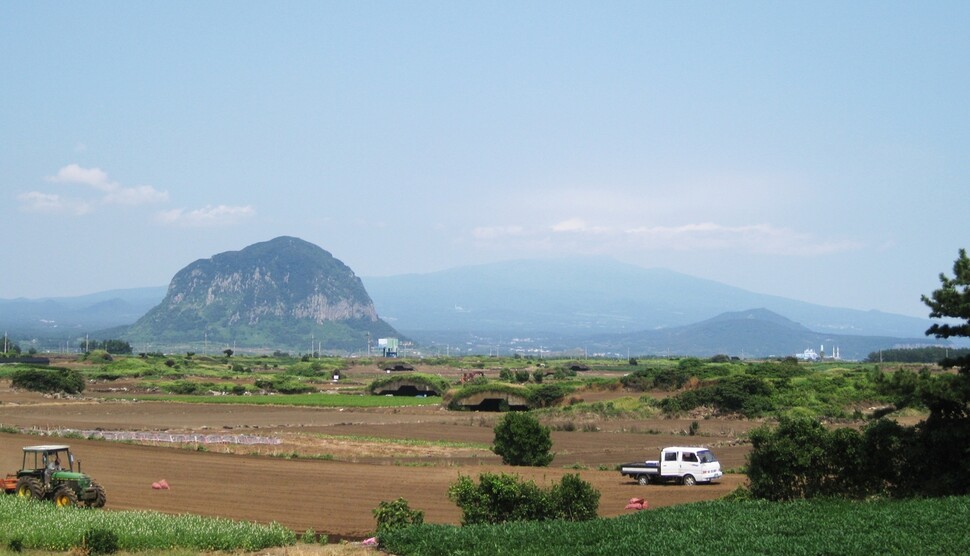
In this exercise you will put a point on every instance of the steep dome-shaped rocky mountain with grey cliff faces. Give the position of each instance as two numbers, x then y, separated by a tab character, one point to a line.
282	293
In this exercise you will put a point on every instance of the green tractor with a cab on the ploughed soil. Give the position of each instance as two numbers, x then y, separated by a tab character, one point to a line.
48	473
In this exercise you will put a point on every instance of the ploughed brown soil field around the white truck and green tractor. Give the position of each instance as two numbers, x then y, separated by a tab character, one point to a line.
347	460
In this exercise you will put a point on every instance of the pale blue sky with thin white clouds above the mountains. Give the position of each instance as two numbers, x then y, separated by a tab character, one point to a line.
816	150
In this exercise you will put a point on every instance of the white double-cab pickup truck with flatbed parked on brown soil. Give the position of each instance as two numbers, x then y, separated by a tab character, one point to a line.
688	465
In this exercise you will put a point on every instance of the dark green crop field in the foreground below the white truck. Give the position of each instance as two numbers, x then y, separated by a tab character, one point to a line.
919	526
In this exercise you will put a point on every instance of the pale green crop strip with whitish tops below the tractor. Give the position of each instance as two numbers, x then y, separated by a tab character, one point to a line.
43	526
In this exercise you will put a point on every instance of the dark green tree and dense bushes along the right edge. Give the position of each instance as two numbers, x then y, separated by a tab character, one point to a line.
802	459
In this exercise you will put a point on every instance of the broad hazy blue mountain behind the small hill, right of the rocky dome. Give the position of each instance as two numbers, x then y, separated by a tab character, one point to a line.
594	296
